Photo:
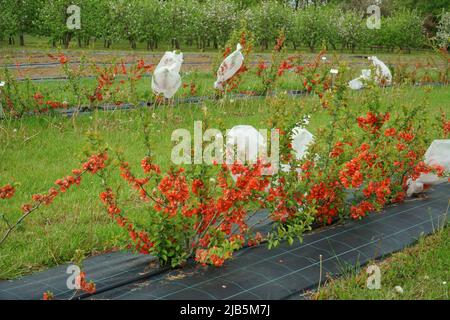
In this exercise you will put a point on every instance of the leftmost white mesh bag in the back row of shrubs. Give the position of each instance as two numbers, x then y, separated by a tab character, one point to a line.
166	78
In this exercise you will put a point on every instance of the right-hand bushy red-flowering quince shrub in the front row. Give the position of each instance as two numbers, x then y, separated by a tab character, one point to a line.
361	163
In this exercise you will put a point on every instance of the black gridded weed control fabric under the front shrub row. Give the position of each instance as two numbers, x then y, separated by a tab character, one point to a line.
255	273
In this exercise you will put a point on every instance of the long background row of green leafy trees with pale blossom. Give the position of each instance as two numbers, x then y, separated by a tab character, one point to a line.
209	23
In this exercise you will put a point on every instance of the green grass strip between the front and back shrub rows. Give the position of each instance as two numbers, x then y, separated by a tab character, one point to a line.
34	151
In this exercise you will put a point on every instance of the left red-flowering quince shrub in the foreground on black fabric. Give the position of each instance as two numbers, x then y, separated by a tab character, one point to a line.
190	216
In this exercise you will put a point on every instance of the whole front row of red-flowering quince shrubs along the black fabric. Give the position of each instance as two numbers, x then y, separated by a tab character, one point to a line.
358	164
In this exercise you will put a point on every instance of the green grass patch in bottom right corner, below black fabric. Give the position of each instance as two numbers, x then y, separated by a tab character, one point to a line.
422	271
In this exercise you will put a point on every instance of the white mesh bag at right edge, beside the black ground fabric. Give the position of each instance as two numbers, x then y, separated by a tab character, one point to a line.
437	154
